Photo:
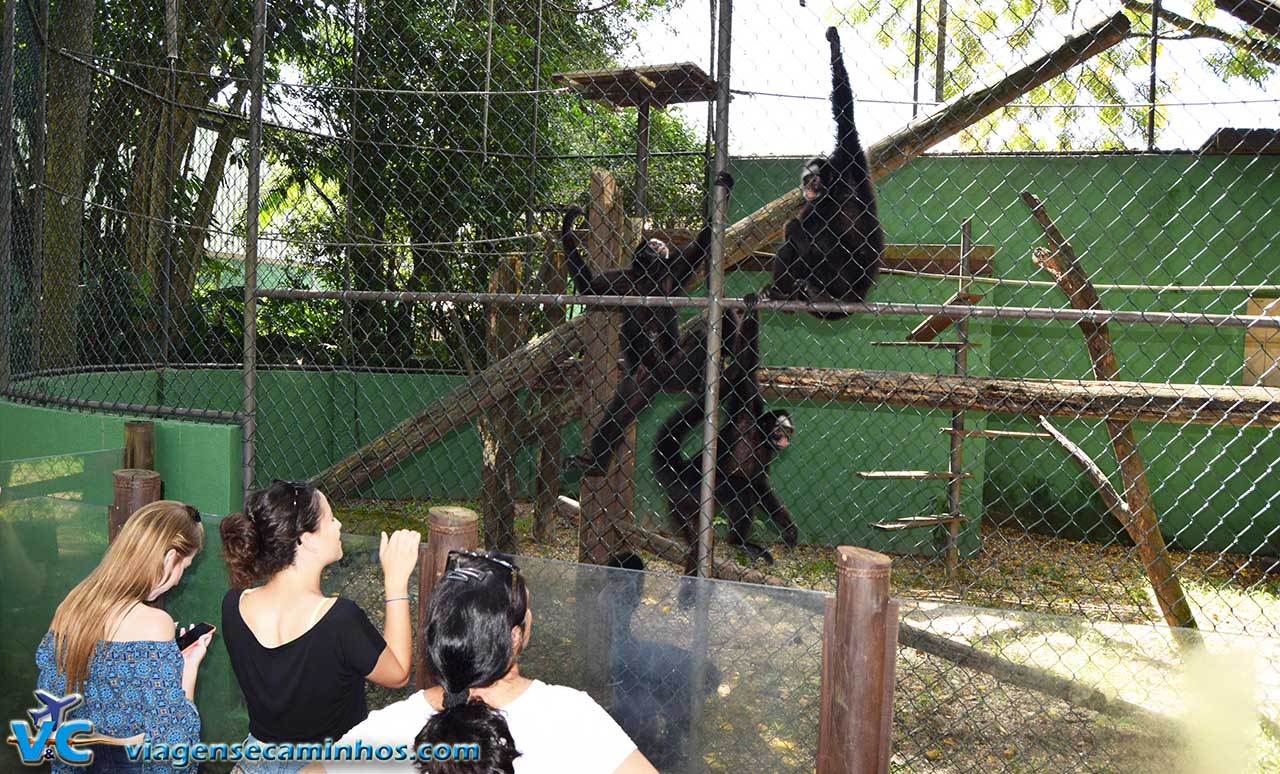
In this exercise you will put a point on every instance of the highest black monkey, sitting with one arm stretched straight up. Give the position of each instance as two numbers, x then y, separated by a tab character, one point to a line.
833	249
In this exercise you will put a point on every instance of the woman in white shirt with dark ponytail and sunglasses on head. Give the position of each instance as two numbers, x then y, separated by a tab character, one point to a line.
478	624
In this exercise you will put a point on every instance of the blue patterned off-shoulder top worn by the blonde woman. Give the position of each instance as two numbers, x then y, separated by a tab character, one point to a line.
132	688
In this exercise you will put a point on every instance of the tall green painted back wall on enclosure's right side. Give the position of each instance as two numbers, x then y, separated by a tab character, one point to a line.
1135	219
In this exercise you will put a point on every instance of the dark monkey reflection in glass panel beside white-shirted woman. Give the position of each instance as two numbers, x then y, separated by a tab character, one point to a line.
652	699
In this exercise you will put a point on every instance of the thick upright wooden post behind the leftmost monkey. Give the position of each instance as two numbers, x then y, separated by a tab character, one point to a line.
605	501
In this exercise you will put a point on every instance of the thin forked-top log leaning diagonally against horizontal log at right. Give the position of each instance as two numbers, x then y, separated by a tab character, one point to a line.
1142	525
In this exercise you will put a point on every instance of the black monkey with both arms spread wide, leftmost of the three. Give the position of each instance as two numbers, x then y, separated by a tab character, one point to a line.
655	355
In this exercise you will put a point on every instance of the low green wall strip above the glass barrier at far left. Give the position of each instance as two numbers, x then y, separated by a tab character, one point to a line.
200	464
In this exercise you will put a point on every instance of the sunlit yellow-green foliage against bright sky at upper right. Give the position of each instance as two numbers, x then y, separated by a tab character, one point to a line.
984	39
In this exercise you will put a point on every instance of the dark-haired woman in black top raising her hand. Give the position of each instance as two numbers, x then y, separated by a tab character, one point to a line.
300	657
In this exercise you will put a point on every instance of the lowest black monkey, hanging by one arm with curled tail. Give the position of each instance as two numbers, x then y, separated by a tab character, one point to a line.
749	441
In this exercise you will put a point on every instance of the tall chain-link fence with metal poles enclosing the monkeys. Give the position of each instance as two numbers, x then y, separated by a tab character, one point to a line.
344	228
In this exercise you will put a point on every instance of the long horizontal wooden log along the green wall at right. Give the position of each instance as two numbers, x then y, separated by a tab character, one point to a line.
1121	401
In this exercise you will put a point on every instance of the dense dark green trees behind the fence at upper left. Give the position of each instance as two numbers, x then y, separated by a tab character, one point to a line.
406	146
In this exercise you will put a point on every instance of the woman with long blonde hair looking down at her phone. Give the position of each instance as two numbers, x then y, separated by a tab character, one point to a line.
120	653
